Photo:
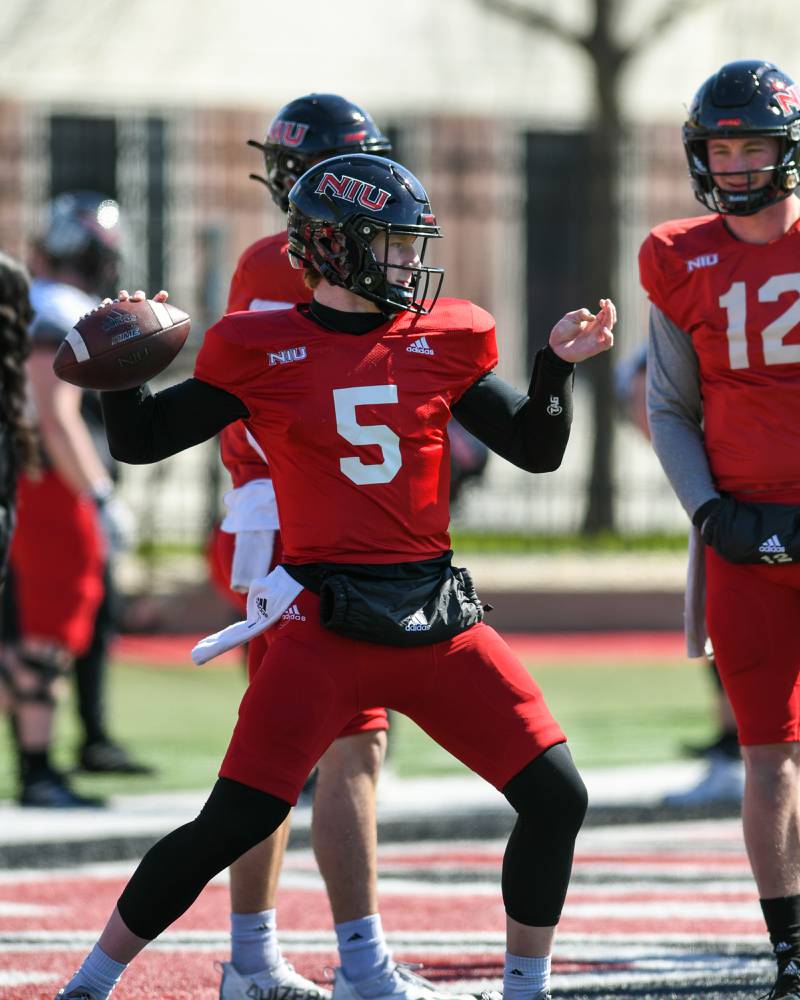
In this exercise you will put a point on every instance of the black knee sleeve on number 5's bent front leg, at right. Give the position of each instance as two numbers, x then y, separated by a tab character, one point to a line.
550	799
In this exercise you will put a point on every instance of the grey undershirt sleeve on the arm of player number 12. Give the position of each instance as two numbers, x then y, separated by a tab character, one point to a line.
675	412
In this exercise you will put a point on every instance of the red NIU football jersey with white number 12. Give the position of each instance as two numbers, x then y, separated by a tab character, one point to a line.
740	304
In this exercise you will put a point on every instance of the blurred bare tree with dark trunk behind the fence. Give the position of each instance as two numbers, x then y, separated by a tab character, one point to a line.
610	57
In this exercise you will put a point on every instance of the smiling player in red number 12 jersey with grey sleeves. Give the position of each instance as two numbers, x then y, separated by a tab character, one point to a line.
724	385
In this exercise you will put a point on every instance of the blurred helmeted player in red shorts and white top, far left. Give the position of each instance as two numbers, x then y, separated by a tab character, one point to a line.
59	611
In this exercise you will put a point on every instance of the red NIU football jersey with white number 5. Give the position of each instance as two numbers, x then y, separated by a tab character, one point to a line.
354	427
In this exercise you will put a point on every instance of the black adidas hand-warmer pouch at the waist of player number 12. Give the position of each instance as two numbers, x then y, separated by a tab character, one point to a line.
744	532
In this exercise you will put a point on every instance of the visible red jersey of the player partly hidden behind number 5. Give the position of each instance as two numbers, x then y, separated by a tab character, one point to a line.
263	279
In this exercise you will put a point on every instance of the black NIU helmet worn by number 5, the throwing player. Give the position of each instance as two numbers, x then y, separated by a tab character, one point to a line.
343	214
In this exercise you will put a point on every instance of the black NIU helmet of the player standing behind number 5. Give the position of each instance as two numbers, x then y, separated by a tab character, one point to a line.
310	129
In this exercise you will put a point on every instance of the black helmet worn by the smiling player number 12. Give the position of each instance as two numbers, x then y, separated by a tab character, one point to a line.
744	99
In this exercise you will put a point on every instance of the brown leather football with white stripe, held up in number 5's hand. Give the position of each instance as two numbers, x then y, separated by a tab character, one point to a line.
121	345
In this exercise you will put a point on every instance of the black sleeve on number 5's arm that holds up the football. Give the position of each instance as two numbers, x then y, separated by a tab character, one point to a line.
142	427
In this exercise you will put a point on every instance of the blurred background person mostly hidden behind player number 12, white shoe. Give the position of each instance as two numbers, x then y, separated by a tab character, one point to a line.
723	779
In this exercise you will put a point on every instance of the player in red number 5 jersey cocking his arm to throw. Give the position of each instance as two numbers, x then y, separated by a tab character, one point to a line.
349	398
